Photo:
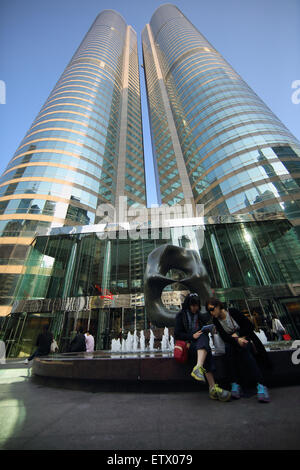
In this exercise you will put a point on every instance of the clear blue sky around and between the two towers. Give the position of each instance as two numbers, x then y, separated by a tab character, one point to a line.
259	38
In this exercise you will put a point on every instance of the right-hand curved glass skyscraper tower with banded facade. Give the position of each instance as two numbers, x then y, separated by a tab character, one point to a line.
215	141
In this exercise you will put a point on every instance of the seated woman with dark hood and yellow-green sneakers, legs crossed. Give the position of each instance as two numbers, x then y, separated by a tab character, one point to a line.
189	327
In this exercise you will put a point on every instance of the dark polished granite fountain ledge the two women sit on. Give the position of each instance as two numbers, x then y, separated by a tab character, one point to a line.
106	370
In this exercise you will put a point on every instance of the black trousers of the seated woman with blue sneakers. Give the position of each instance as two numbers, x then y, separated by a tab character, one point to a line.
242	365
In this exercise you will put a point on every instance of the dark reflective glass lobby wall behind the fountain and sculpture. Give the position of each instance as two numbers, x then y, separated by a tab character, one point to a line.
83	280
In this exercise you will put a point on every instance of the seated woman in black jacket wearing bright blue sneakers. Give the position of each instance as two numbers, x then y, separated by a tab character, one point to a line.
241	345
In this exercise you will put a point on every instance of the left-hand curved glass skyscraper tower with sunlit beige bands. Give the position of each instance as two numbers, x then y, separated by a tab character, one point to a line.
84	148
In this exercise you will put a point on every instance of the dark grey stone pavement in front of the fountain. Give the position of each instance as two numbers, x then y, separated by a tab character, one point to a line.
36	417
